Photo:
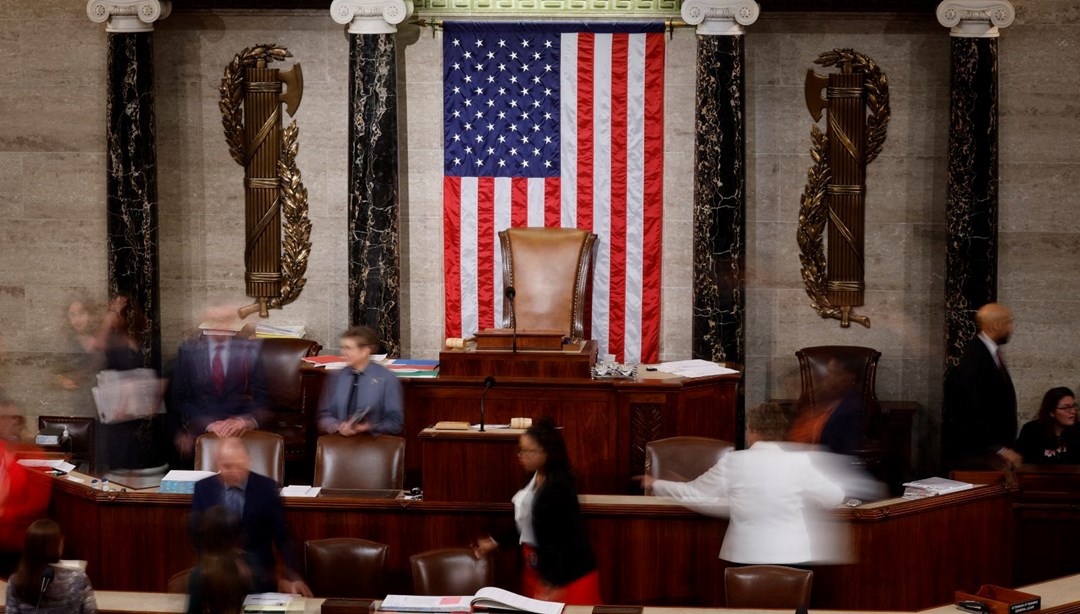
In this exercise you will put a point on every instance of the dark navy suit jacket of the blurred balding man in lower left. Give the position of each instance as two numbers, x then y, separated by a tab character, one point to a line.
262	528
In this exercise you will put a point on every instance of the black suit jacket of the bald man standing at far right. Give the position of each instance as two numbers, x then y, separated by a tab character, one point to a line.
980	408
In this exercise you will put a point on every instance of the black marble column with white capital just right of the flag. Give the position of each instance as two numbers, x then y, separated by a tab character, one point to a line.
720	190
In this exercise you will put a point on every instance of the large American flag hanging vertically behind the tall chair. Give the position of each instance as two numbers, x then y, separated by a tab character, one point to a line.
557	126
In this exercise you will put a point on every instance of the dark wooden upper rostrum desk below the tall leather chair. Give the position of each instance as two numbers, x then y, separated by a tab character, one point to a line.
607	424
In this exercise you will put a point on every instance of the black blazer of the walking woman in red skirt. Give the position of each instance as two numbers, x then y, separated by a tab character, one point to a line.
563	550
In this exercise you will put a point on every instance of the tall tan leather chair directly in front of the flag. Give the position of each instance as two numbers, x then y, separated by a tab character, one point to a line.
549	269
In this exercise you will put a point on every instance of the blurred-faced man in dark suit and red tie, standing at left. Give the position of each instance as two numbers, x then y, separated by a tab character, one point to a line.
220	384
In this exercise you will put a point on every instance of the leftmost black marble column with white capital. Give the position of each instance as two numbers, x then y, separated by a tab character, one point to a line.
132	165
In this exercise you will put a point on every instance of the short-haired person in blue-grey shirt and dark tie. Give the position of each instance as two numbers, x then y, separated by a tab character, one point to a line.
366	397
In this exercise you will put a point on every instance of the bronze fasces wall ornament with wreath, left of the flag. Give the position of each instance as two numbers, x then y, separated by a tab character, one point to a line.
278	228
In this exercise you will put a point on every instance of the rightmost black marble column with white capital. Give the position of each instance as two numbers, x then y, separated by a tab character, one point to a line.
971	204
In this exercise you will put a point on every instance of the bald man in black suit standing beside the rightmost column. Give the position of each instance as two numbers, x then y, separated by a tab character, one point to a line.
980	412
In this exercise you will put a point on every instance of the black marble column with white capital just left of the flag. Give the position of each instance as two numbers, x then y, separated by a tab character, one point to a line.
374	211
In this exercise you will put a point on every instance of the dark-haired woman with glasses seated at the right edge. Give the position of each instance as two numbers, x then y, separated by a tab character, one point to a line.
1052	438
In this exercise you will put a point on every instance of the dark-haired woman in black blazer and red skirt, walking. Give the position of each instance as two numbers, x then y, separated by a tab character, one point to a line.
560	564
